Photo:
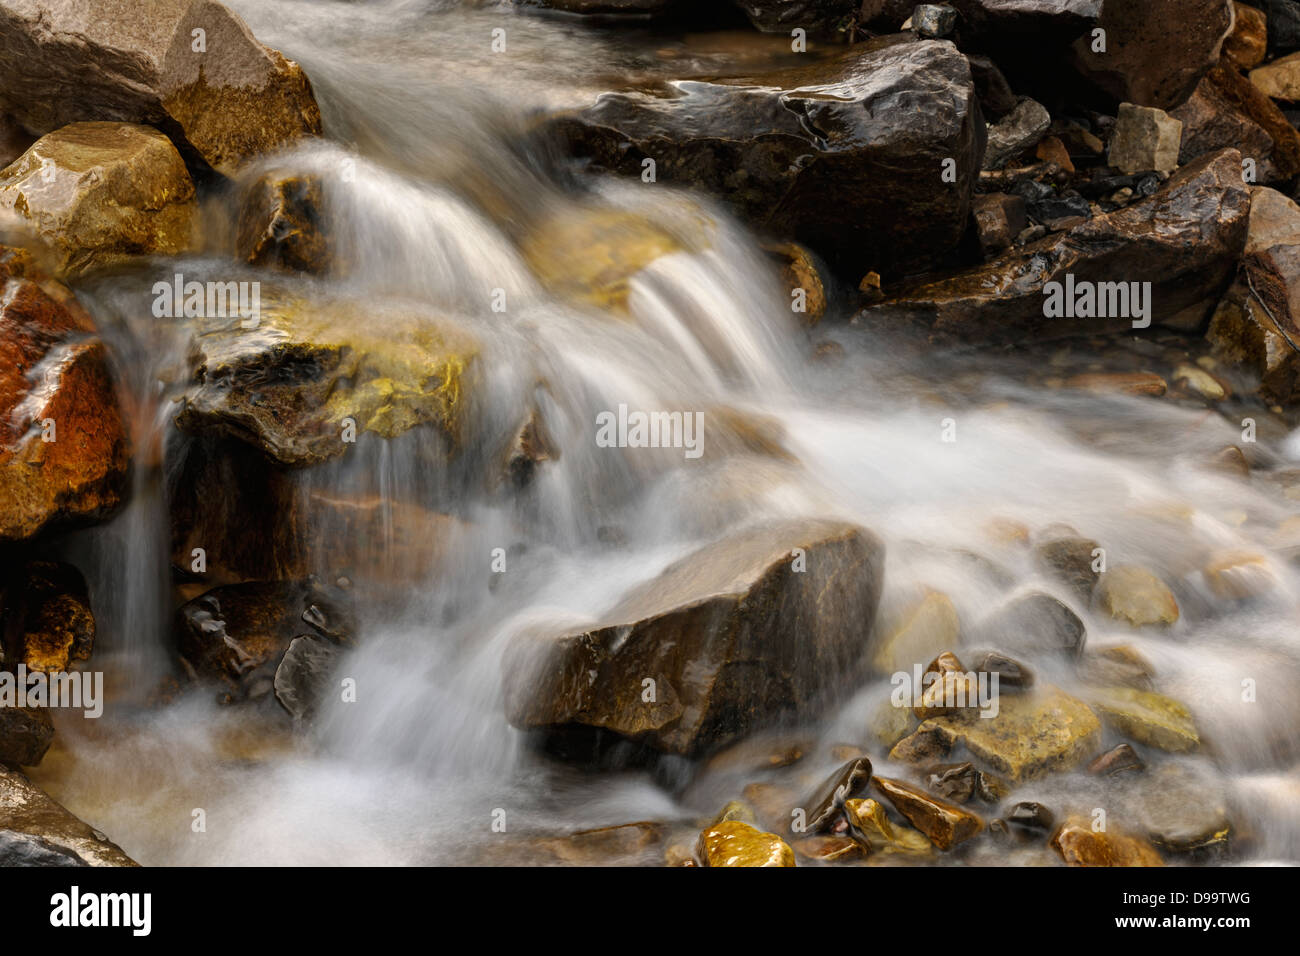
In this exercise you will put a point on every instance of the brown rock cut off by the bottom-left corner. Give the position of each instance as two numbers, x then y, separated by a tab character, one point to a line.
28	812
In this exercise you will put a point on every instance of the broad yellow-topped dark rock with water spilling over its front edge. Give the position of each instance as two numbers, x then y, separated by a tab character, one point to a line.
306	374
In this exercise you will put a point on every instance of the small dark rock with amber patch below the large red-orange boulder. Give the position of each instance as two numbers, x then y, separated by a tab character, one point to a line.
47	617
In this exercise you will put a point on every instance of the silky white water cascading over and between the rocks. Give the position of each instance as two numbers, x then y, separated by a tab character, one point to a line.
431	197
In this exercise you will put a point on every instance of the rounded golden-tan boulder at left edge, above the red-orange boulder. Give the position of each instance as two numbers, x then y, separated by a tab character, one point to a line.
101	193
